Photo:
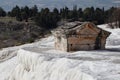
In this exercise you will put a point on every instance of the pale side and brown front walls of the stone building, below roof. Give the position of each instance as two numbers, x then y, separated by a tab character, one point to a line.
80	42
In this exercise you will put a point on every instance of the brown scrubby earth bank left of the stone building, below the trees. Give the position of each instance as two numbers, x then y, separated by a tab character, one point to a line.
17	33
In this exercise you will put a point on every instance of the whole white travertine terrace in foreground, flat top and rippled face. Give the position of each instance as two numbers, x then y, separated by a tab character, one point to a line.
101	65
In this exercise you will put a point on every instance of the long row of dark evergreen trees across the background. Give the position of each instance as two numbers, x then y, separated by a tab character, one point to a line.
48	19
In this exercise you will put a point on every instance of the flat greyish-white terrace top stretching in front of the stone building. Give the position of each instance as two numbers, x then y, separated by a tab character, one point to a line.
93	55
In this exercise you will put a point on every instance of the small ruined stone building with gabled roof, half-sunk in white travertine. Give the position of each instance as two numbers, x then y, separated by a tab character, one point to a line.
76	36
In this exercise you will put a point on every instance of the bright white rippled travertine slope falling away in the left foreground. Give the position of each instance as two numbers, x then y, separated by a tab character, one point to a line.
33	66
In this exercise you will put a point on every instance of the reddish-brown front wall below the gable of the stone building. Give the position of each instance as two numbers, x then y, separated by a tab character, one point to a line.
81	43
